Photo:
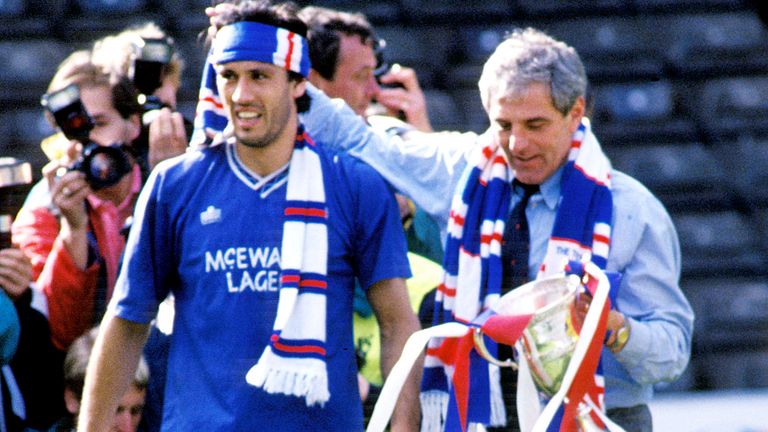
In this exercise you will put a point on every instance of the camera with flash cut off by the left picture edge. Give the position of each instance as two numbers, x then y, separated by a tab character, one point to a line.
15	176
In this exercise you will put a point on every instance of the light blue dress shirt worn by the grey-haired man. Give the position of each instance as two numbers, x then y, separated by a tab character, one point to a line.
644	245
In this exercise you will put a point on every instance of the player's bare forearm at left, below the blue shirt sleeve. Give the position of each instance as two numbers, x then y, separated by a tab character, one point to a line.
111	369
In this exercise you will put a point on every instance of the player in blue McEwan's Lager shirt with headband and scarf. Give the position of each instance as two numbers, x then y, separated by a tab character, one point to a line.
266	278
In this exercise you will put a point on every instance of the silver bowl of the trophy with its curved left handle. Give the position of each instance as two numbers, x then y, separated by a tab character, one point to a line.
550	337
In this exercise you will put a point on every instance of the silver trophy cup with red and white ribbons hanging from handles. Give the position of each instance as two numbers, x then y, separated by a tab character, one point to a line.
555	341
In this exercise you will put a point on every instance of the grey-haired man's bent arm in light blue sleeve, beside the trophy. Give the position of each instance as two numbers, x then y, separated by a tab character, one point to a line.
650	298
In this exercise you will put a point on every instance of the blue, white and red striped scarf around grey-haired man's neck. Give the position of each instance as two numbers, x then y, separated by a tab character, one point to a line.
472	265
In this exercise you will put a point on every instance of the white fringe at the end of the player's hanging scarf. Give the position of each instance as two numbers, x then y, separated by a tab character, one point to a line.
310	381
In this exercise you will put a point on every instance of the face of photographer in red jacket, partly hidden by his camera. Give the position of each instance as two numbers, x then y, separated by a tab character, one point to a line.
109	127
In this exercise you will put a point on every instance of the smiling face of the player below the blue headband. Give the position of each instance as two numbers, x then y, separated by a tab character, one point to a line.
259	100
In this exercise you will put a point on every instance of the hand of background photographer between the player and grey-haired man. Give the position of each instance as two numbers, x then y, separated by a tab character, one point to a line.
409	99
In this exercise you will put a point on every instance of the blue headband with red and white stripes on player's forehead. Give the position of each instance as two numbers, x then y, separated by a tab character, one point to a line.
253	41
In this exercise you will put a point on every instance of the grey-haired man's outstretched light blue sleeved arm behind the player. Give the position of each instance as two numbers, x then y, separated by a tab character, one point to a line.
425	166
